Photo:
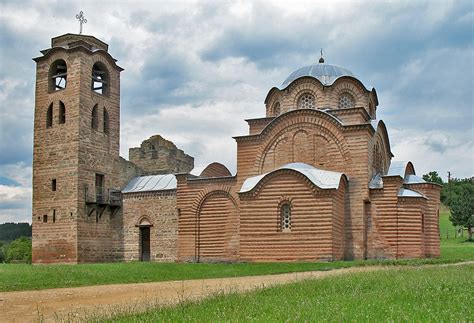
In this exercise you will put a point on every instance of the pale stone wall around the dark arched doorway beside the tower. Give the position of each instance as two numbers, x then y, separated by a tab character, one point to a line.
158	209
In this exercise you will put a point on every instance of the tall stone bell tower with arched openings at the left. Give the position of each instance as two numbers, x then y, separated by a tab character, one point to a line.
76	177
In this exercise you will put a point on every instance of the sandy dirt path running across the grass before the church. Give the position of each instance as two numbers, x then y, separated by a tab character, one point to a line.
72	304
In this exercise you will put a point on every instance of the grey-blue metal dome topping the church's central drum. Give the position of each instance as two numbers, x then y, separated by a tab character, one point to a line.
325	73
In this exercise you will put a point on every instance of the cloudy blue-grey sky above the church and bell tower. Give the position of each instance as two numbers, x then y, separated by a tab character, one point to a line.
194	70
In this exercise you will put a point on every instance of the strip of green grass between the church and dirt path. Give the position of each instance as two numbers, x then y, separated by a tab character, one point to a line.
24	277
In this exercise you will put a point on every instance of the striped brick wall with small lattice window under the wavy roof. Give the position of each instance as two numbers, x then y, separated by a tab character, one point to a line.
316	217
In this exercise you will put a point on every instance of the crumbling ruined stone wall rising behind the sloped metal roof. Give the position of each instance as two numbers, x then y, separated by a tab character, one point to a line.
157	155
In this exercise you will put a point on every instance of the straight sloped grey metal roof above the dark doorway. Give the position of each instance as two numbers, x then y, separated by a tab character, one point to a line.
151	183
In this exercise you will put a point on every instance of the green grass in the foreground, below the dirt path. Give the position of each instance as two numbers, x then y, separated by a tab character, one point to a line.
420	294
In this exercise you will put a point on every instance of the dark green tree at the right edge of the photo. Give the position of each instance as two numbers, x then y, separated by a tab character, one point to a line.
462	209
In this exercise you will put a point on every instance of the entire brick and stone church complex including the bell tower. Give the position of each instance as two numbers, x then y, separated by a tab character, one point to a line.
315	180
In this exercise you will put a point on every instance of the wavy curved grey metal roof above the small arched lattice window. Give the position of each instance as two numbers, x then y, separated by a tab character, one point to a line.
321	178
